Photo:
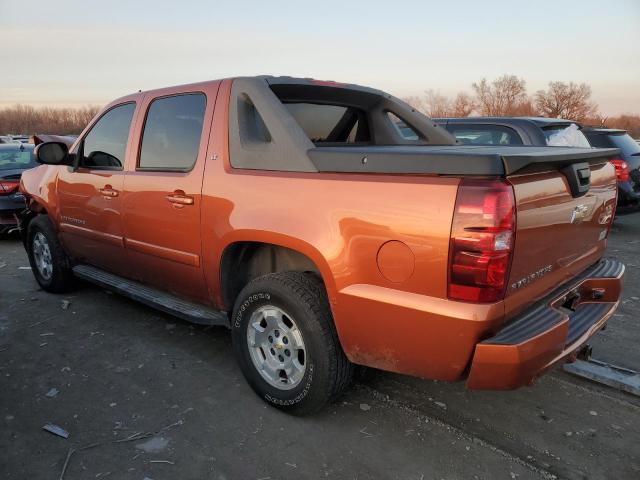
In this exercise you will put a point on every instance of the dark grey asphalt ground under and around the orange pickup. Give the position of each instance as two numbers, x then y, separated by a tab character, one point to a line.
146	396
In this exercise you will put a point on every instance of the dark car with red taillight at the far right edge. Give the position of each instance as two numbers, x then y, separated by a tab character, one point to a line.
627	166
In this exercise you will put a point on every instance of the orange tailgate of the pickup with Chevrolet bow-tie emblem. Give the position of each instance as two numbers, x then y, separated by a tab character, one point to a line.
558	235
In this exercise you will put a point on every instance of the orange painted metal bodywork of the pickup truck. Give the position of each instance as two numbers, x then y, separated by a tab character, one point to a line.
389	303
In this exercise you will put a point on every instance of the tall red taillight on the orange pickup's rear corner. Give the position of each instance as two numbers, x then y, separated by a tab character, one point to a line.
482	237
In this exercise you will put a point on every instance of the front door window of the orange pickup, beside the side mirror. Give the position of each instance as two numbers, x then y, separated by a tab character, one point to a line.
105	145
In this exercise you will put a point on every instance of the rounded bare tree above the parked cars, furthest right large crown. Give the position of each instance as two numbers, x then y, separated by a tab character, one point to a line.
566	100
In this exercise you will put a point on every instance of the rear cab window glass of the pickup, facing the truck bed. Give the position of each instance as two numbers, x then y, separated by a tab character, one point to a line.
330	123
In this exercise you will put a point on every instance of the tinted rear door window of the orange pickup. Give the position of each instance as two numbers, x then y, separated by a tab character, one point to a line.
172	131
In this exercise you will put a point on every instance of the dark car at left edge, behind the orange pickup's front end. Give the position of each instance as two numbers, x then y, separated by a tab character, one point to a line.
15	158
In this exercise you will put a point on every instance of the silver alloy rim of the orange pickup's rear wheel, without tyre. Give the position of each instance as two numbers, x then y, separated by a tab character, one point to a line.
276	347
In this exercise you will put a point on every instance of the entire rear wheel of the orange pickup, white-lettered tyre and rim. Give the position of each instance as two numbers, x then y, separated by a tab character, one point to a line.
286	344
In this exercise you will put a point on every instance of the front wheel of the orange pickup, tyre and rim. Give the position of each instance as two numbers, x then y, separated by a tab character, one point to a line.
49	262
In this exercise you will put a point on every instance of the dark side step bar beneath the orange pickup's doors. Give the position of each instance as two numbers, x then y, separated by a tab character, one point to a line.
165	302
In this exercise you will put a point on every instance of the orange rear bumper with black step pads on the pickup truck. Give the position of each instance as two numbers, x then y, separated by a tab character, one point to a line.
549	332
